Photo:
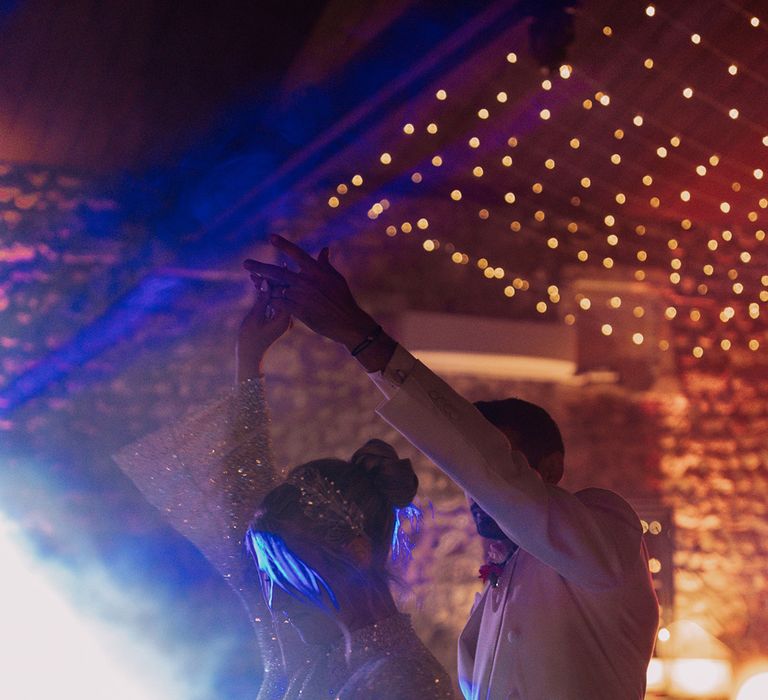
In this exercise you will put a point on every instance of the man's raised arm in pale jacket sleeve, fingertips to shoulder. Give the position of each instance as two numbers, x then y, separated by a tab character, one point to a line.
576	538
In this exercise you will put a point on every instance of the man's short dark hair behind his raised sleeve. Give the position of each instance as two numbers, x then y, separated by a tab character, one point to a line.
533	429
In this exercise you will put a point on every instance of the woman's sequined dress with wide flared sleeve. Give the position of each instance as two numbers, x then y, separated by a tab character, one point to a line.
207	474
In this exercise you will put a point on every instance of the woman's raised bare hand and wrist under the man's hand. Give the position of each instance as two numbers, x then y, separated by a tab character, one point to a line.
263	325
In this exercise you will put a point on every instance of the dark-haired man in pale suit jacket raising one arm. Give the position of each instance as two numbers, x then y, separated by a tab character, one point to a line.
568	612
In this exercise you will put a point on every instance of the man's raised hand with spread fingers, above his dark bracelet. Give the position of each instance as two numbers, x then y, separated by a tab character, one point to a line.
316	293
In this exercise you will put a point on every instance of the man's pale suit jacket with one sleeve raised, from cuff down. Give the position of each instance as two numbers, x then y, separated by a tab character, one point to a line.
574	616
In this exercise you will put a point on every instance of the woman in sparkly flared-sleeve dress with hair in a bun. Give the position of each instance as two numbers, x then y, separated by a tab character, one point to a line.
311	551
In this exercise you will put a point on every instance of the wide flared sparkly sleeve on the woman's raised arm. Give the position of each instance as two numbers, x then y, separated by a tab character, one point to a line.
207	473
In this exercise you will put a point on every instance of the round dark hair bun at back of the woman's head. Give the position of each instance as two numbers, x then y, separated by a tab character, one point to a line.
390	476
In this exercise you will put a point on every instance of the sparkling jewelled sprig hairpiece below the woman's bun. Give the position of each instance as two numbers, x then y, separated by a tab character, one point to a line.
323	502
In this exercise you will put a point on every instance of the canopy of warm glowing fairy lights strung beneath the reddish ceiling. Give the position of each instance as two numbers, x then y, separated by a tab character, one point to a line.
675	202
